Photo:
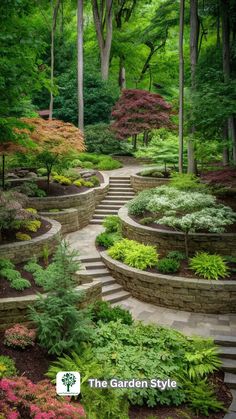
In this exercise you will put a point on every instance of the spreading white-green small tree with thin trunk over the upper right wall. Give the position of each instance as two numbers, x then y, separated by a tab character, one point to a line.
186	210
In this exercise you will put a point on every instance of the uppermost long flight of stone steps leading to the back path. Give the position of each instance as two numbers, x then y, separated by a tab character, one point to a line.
120	192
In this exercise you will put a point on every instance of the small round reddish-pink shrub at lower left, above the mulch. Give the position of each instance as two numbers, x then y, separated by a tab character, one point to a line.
19	336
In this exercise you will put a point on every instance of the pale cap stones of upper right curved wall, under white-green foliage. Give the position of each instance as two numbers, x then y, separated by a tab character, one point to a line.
124	216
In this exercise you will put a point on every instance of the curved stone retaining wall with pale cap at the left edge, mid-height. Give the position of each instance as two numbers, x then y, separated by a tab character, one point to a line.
23	250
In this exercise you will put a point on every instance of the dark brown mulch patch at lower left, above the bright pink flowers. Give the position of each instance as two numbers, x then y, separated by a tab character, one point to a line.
32	362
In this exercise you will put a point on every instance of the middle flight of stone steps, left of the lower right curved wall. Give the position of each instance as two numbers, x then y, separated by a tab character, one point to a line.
111	290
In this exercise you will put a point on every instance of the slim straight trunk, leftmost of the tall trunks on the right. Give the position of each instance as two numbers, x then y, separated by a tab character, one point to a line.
181	86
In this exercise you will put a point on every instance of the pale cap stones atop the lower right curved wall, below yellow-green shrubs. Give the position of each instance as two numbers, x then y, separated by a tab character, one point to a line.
150	276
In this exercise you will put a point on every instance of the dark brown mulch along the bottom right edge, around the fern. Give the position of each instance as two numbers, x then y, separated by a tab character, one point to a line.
168	412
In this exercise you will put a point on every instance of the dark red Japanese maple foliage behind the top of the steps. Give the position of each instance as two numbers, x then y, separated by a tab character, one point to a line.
138	111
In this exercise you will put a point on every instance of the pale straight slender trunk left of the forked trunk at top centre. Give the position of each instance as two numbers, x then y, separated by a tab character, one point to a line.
80	65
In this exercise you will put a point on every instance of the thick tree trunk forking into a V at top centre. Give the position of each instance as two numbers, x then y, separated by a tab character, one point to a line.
103	25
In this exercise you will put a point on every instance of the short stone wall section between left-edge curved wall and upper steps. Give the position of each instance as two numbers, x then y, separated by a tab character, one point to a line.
68	219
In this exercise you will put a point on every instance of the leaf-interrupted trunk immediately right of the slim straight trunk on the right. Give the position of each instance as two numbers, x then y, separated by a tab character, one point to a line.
194	36
